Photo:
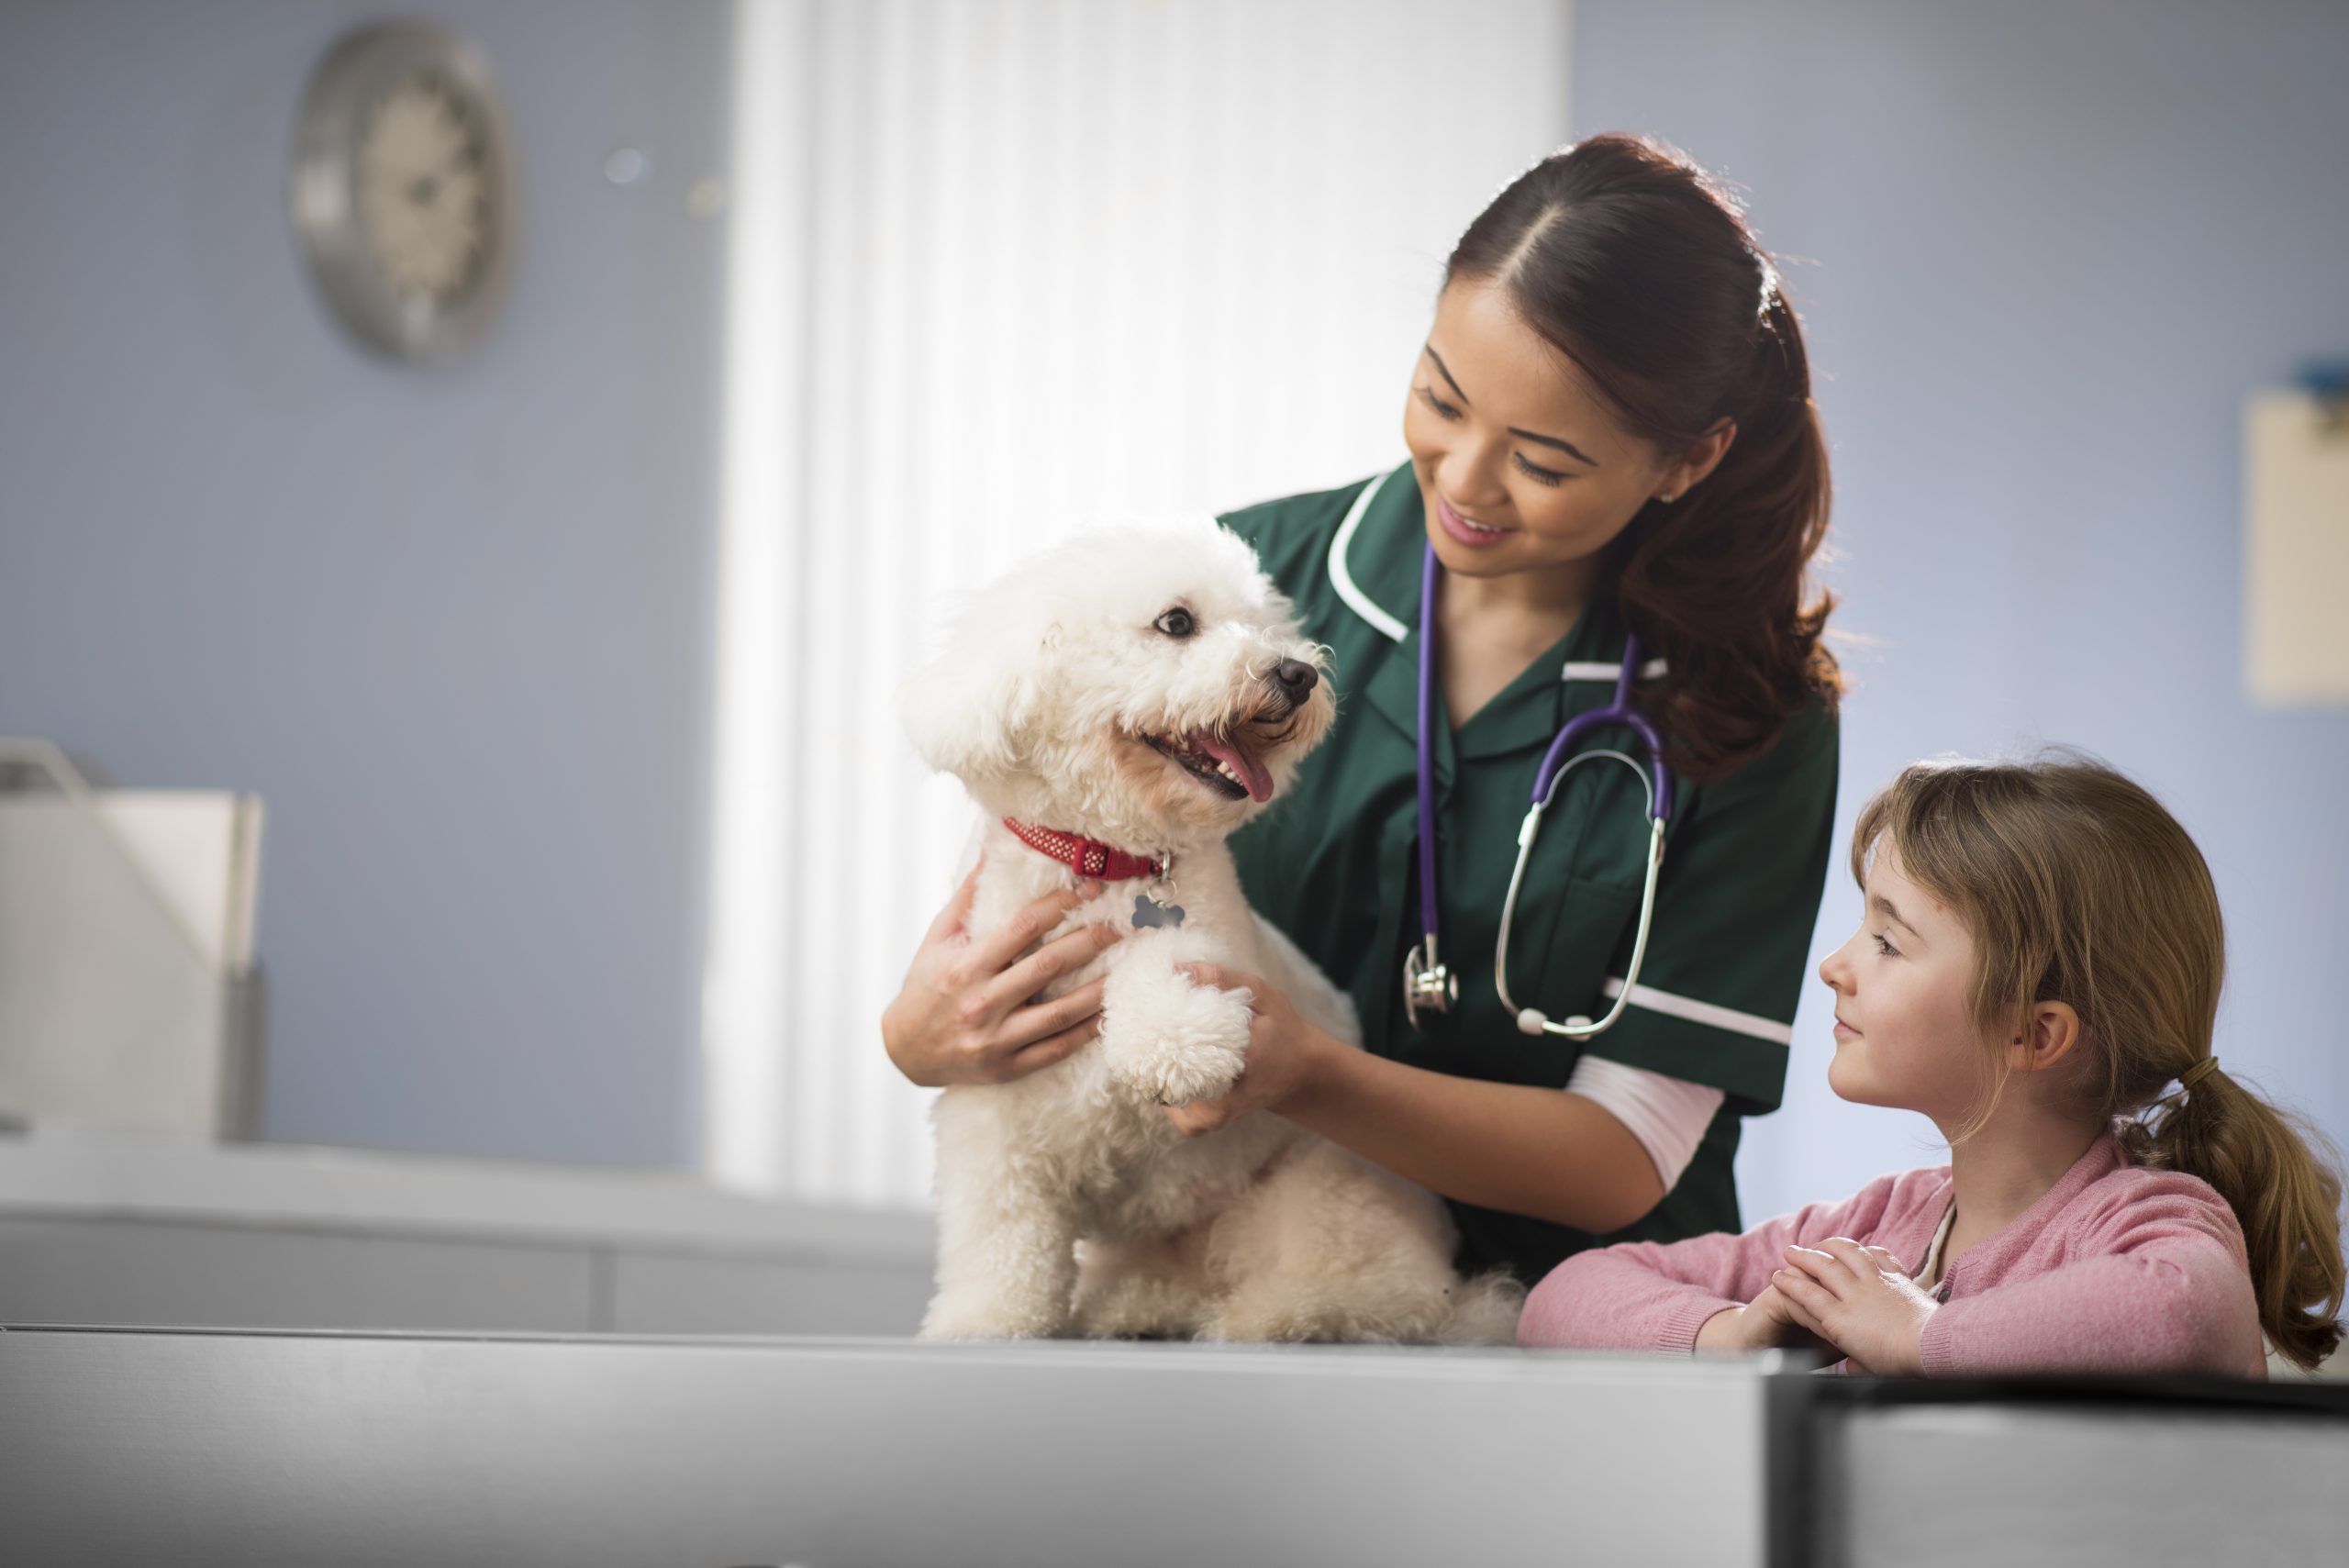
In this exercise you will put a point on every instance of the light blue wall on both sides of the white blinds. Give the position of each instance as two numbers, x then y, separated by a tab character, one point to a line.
455	628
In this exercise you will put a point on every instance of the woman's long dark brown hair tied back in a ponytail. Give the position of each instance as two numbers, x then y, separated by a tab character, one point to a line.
1641	269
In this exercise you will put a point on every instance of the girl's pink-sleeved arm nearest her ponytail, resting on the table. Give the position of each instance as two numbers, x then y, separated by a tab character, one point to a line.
2165	1290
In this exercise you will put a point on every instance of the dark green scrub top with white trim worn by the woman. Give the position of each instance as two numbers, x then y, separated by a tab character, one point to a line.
1333	863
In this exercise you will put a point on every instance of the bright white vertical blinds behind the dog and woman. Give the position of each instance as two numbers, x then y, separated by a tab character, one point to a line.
1004	269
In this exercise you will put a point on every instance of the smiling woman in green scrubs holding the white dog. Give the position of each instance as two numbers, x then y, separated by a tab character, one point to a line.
1610	431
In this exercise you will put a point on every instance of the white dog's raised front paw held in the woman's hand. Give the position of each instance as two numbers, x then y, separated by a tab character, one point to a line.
1166	1034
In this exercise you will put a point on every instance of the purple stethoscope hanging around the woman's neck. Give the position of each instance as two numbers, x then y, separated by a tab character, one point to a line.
1427	982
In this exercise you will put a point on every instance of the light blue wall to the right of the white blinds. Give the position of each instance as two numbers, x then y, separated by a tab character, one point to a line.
2045	252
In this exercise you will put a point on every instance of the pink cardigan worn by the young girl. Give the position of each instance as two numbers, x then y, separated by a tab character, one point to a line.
2115	1269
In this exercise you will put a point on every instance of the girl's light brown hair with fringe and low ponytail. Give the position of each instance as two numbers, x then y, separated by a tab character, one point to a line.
2080	888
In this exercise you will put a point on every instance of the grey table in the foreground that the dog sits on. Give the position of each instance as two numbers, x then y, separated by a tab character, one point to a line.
220	1447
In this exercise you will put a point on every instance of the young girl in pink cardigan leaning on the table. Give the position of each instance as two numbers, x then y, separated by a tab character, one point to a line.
2038	961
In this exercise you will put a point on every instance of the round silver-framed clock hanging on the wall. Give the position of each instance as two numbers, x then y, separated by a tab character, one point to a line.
403	191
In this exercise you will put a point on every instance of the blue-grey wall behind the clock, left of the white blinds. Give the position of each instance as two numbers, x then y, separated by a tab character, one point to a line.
452	626
